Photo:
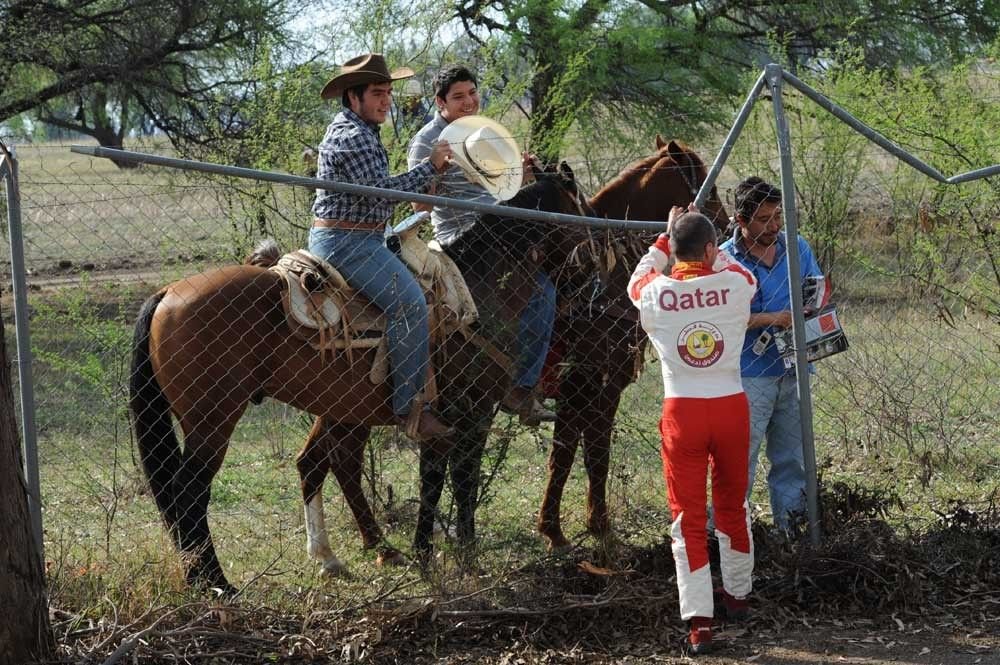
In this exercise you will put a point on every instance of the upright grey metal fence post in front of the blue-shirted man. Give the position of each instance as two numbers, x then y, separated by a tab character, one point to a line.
774	73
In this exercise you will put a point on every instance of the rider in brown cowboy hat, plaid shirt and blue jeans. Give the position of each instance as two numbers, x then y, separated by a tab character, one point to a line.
348	229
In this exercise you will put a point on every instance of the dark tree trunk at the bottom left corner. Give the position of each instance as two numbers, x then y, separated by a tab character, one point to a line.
25	633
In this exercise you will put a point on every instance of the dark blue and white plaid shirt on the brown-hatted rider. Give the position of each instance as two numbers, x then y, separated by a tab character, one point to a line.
352	151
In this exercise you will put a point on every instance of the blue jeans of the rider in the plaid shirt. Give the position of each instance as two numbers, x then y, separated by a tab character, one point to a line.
368	266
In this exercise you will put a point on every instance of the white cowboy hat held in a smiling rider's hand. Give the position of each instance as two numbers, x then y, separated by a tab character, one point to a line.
487	153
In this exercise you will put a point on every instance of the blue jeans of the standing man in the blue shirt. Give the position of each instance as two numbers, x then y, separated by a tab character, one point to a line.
774	414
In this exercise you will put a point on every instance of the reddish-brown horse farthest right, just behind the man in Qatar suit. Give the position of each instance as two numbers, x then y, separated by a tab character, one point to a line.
602	340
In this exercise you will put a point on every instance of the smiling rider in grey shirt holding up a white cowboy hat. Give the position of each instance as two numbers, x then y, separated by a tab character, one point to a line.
487	166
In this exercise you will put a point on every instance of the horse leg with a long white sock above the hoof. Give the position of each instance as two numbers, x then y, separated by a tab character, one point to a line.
313	463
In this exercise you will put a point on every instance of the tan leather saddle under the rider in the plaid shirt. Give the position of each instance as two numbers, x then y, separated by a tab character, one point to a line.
325	311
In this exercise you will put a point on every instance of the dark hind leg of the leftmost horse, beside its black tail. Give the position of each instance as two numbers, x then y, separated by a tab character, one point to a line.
206	440
